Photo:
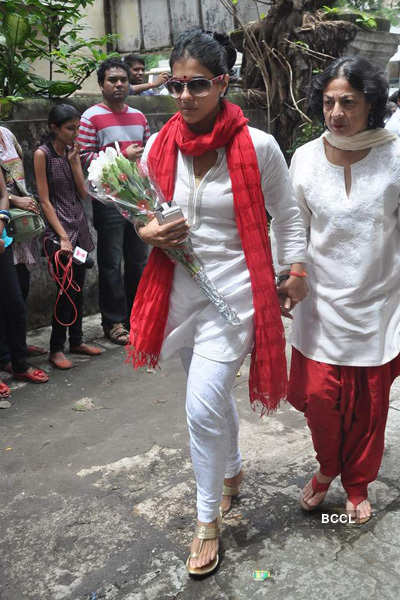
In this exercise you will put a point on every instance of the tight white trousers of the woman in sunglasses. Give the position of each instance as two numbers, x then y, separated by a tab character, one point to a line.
213	424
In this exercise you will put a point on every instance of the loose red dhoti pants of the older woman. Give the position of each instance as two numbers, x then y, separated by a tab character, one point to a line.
346	410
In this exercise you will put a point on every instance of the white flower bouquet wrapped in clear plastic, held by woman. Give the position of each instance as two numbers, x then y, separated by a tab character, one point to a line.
113	179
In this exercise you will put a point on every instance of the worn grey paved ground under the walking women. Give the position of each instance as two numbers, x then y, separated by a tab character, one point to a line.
98	503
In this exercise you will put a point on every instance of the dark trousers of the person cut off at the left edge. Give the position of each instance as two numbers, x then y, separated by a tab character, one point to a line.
12	312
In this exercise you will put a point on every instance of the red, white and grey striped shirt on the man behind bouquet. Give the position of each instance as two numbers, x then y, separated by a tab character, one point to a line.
101	127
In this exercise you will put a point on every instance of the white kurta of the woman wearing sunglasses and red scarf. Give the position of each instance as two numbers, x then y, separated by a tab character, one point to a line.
192	321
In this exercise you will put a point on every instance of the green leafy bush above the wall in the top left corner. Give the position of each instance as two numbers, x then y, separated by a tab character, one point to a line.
46	30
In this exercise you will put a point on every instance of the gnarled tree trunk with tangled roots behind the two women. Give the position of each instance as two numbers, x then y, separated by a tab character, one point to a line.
294	42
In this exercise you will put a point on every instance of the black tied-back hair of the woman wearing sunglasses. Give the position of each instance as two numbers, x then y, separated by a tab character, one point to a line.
214	51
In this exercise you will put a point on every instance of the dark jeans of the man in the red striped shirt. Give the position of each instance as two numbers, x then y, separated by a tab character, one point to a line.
117	242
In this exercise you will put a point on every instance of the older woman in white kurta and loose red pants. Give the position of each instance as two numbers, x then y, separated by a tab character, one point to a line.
346	332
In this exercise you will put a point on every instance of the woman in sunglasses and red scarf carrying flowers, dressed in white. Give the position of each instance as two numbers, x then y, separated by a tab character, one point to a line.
205	187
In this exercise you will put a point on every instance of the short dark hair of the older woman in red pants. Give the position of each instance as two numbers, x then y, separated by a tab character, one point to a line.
362	76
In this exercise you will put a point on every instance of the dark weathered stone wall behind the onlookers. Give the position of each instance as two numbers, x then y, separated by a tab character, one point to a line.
28	123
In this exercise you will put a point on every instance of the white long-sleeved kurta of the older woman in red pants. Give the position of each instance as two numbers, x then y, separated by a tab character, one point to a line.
351	315
